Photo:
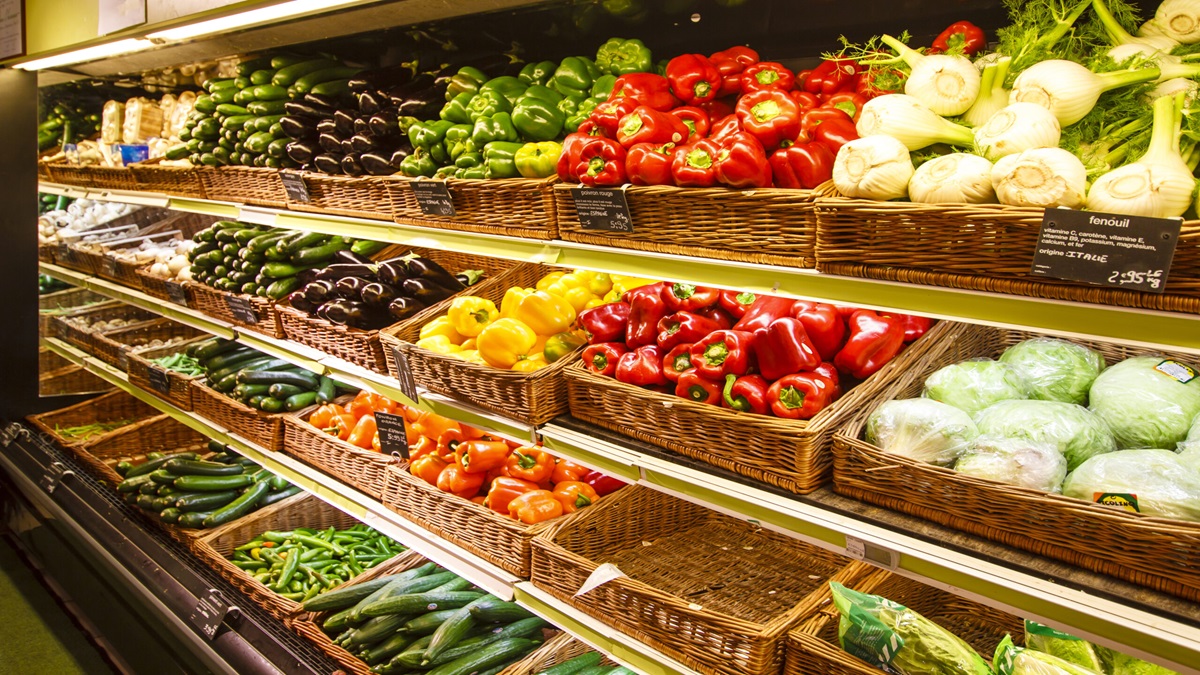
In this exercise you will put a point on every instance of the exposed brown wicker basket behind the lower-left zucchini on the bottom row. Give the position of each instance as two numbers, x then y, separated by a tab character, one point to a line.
160	434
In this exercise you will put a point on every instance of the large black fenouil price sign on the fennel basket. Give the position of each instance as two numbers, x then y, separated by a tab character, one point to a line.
1113	250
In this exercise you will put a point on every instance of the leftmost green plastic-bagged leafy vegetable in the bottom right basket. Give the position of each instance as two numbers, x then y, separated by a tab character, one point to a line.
895	638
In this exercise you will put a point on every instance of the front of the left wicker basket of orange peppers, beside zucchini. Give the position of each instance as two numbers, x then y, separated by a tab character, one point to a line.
363	470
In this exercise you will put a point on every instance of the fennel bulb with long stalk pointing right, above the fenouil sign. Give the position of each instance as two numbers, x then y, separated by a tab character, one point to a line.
1071	91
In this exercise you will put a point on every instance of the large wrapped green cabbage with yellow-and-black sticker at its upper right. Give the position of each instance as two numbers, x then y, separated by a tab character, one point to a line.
1147	402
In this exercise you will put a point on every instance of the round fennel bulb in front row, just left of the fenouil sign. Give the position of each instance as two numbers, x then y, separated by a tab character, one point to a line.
1043	177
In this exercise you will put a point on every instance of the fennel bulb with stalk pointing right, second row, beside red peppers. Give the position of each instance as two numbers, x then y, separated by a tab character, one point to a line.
911	122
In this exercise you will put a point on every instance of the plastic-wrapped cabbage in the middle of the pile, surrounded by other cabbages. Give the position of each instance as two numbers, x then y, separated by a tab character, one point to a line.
1073	431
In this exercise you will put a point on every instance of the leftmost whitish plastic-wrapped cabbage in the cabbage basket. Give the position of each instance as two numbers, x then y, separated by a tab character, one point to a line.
921	429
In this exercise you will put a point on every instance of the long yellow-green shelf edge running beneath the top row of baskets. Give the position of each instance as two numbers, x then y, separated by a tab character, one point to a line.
1149	328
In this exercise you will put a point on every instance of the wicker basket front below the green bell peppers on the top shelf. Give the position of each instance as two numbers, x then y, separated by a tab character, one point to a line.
520	207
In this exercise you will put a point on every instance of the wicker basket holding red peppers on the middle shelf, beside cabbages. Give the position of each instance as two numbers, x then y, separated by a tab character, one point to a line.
787	453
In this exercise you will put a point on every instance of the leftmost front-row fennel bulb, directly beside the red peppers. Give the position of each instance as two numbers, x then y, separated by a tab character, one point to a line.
874	168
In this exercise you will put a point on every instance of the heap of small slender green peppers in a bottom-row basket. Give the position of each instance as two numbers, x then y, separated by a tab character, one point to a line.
302	564
